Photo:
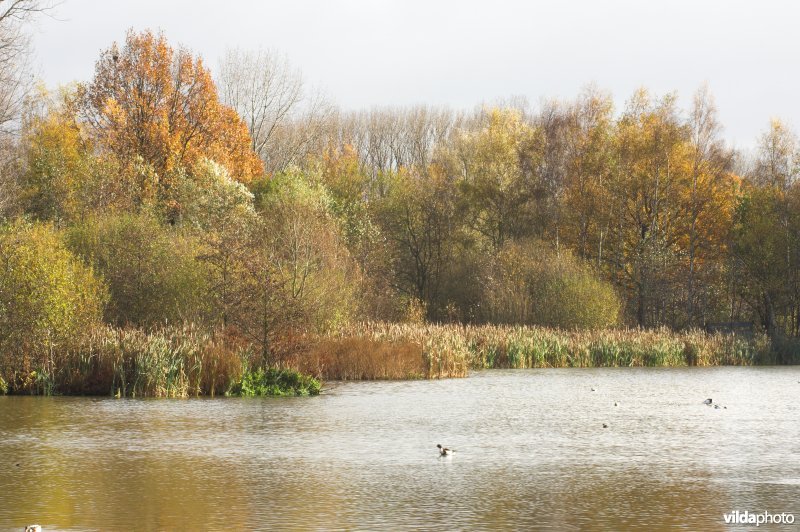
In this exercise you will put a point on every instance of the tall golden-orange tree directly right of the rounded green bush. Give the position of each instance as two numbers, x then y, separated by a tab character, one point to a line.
652	169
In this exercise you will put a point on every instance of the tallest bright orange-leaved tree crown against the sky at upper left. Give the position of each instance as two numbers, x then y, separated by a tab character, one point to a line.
148	100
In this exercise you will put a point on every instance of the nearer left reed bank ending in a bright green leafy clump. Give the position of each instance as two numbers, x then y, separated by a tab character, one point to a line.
181	361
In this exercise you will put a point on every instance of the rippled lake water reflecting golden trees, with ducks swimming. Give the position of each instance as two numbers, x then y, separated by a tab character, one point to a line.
531	453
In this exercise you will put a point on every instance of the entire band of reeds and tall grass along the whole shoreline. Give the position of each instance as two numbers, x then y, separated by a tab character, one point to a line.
186	360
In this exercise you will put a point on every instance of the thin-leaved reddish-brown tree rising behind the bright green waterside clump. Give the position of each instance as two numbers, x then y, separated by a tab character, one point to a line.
298	275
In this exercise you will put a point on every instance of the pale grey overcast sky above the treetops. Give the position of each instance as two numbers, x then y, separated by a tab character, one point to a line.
461	53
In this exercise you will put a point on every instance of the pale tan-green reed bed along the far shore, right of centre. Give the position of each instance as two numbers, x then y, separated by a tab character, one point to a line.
451	350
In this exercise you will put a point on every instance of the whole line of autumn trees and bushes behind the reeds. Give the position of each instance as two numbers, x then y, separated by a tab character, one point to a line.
156	193
